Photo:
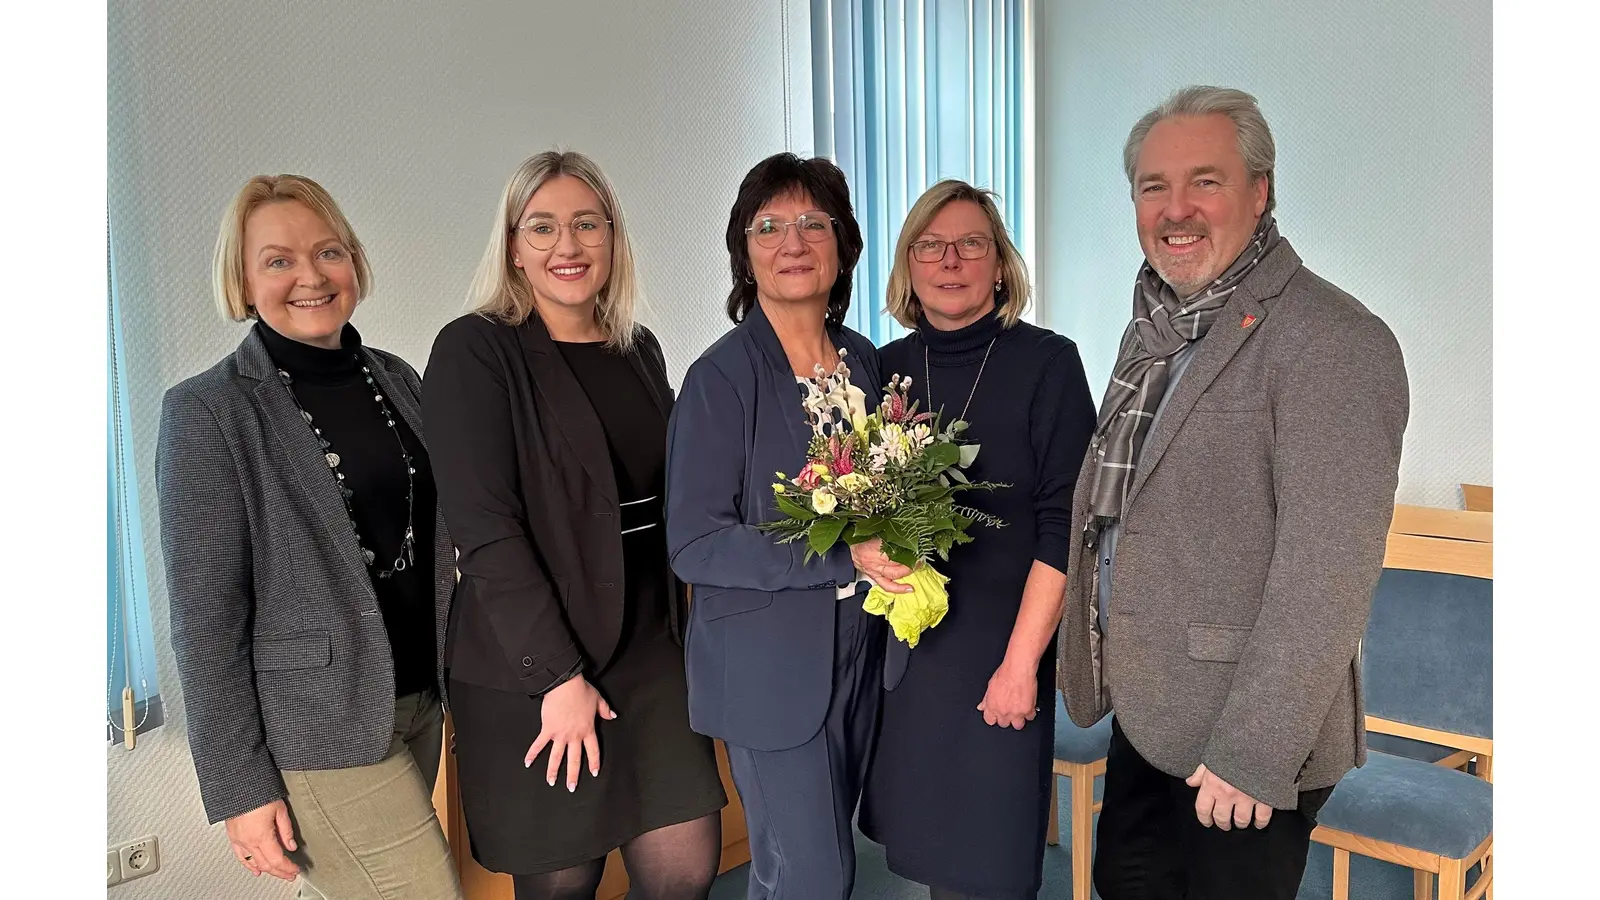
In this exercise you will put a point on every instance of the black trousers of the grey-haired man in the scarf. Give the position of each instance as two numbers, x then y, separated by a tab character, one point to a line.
1154	848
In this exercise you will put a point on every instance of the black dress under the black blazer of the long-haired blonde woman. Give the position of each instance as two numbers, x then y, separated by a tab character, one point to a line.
654	769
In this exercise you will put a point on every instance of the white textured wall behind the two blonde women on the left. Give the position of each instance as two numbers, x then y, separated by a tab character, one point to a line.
412	115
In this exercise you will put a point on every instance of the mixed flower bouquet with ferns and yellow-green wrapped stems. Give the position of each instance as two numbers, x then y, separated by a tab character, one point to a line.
890	475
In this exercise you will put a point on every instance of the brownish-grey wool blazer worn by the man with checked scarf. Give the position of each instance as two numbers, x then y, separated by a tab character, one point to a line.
1250	547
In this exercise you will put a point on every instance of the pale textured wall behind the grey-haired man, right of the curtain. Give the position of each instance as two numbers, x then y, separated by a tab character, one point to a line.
1382	116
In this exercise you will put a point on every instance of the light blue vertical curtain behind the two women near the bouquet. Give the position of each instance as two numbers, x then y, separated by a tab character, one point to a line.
910	92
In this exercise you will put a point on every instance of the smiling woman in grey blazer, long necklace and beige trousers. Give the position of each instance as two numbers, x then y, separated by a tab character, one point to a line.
308	568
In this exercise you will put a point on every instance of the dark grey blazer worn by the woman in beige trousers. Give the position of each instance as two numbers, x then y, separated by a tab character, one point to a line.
282	651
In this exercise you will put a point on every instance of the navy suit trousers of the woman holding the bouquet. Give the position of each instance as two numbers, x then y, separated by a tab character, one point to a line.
801	803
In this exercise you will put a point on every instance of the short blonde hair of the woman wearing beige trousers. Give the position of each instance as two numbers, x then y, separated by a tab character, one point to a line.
228	265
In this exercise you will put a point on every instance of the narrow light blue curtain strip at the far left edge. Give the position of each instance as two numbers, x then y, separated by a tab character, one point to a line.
127	589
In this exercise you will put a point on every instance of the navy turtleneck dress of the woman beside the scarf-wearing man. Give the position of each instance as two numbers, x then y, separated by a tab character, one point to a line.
958	803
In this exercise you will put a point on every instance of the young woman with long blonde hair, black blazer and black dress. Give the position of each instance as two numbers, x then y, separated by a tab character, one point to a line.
551	406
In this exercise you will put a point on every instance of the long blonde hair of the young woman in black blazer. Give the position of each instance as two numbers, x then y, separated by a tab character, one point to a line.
498	289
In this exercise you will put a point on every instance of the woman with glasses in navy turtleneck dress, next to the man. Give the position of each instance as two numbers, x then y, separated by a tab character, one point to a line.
982	685
